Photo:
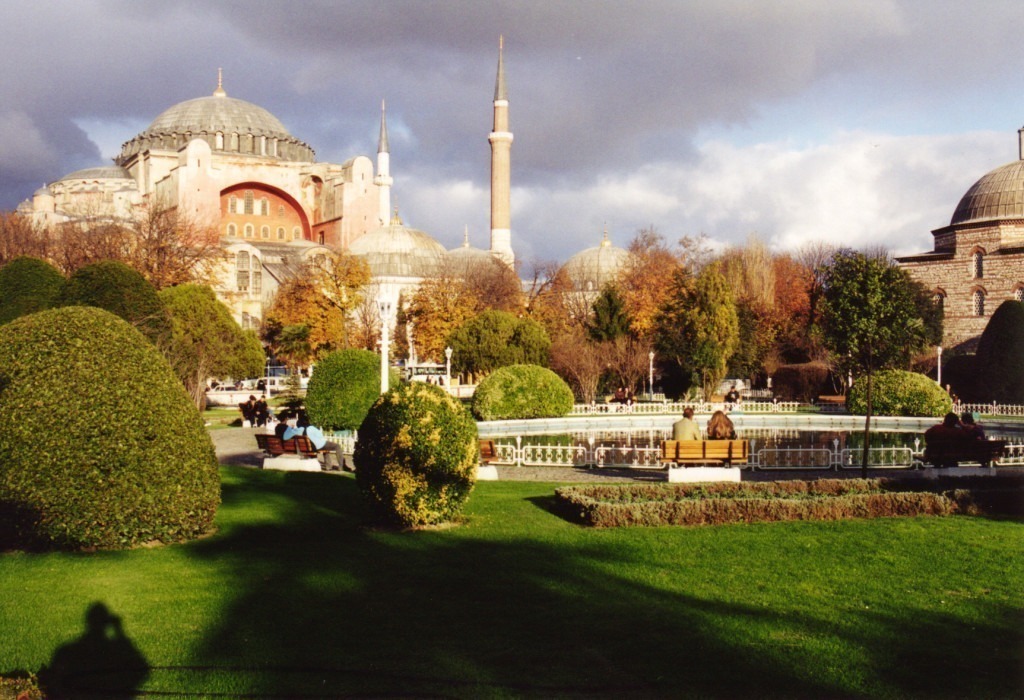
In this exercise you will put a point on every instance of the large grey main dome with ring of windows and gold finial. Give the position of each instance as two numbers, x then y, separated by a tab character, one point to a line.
228	124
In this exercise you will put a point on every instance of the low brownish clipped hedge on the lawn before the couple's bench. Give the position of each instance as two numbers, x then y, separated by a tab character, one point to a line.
724	503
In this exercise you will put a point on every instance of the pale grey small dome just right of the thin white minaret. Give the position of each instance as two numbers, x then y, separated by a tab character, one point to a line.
398	251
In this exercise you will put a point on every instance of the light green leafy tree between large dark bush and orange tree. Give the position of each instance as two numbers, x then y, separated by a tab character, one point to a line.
206	341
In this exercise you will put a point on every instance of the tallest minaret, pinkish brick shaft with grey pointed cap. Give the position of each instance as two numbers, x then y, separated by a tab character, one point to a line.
501	169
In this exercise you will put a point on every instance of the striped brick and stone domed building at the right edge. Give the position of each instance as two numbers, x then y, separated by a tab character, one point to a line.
978	259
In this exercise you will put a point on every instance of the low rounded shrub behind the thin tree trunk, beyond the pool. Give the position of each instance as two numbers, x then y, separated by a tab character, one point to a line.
897	392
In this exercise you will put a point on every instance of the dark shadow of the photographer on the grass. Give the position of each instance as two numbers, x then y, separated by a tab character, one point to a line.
103	663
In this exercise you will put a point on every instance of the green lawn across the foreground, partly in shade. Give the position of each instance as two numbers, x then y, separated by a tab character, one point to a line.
294	597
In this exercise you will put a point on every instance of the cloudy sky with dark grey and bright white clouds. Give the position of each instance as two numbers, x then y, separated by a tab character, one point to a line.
858	122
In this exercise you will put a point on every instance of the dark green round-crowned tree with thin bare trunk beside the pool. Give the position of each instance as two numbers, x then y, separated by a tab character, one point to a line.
870	320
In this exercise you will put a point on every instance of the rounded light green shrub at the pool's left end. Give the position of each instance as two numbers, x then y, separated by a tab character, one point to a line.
522	391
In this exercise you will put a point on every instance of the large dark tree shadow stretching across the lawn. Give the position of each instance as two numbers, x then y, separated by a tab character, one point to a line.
325	607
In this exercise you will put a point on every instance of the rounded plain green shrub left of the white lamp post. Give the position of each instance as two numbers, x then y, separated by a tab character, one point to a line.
344	387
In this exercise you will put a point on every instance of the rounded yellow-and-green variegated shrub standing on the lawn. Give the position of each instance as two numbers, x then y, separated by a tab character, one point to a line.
416	457
